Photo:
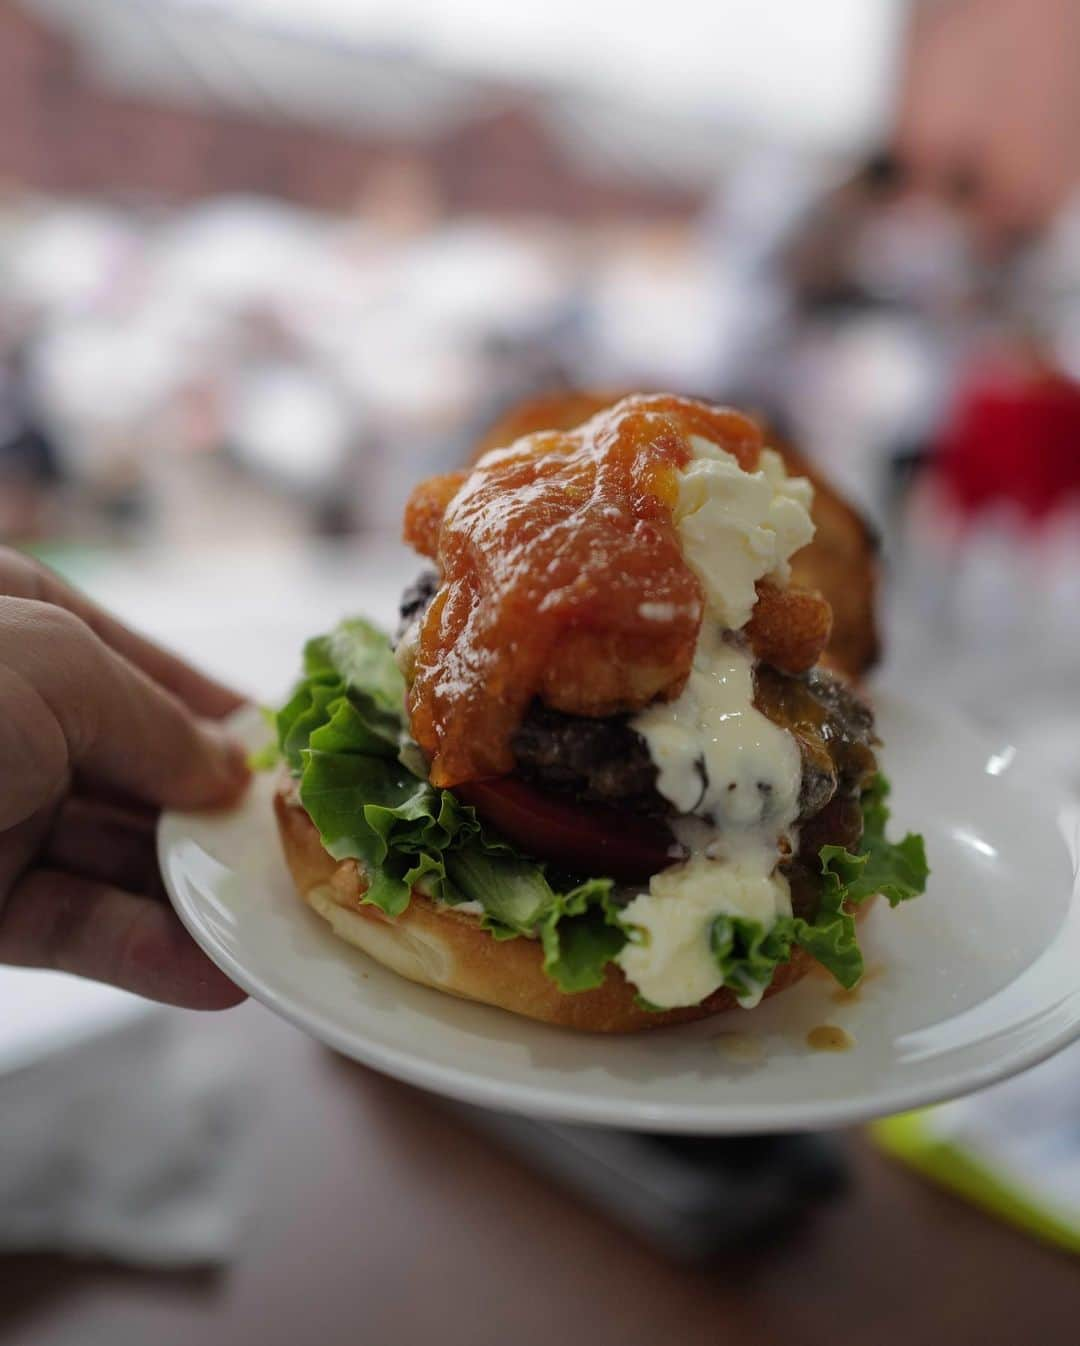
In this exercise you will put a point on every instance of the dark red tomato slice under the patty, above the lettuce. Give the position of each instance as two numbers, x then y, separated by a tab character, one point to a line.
582	838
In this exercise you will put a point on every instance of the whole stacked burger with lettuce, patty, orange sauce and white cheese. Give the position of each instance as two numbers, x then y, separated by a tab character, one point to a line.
600	776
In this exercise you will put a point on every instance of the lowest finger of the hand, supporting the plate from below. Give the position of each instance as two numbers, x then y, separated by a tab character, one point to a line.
91	929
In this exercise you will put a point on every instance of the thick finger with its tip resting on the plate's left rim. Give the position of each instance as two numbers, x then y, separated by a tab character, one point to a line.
68	694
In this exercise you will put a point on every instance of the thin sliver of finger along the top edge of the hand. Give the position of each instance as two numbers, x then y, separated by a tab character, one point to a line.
21	577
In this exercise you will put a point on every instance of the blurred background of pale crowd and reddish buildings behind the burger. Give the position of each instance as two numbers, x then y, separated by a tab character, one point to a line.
266	263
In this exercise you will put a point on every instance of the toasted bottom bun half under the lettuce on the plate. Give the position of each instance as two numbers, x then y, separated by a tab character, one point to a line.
449	951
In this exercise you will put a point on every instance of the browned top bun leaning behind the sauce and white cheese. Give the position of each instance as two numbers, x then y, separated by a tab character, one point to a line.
841	563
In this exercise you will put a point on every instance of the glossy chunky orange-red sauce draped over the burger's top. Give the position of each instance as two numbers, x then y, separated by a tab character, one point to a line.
562	577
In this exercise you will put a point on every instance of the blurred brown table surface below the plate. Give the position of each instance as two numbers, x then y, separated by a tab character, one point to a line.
382	1219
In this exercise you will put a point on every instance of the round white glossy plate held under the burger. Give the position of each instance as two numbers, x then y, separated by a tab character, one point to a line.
970	983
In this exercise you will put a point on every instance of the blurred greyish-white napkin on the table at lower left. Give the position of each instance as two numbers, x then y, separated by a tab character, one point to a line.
122	1127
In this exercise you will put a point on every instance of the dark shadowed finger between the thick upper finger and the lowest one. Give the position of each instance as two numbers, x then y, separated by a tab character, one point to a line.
106	843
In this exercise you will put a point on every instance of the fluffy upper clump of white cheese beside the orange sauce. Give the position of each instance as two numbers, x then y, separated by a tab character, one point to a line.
739	527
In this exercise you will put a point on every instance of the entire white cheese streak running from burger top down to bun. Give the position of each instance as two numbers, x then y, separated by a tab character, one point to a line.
731	773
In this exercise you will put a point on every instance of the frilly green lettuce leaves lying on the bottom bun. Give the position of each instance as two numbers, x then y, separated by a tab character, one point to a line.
344	734
